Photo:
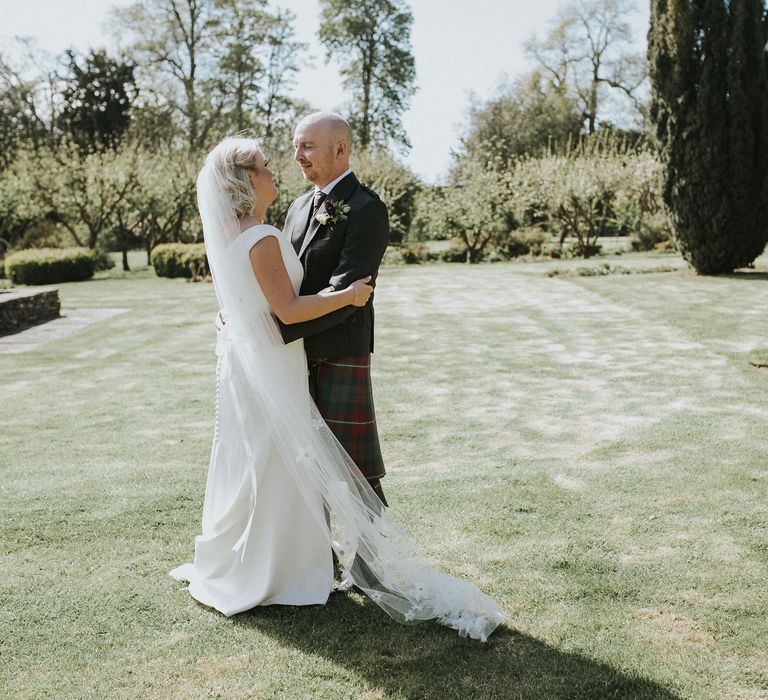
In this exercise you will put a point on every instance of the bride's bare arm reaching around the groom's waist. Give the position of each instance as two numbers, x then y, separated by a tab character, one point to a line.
269	268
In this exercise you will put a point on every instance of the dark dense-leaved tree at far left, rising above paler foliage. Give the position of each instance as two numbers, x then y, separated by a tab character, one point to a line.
97	99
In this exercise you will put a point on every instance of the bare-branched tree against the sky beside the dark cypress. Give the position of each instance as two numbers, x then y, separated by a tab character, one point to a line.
586	51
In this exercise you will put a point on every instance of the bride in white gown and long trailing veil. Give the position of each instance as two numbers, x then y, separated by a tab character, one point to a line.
281	493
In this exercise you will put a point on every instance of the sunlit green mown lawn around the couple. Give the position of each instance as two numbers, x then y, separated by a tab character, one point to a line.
591	451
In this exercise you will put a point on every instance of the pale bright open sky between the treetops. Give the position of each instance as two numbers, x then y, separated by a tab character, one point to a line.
461	49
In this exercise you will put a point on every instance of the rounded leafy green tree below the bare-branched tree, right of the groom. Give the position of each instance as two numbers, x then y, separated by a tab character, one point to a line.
522	118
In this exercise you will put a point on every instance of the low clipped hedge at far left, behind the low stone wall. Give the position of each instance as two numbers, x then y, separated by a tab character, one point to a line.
50	265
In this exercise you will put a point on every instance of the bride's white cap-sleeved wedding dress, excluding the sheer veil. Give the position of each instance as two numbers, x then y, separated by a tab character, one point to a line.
261	543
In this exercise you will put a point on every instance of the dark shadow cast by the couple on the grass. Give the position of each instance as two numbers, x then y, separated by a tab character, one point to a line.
432	662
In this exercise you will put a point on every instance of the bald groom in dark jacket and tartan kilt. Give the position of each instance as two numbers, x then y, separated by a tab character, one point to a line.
340	230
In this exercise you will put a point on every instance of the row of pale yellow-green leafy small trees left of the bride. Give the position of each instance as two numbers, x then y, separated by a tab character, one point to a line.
105	198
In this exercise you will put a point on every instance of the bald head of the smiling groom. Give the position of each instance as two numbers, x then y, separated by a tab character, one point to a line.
322	141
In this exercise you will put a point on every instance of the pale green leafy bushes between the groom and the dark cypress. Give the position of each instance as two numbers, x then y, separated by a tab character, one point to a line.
601	186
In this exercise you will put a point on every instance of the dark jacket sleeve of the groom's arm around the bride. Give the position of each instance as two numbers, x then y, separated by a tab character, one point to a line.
364	247
